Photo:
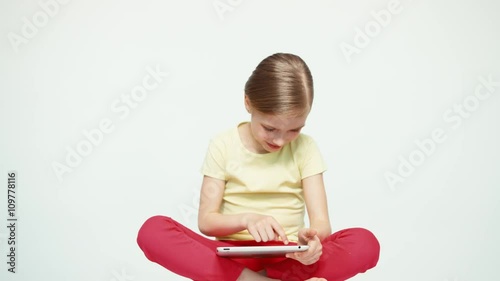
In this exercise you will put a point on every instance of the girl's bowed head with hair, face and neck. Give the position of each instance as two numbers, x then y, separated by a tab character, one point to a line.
279	96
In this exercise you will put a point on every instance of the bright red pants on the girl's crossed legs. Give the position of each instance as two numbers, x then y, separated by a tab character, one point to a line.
184	252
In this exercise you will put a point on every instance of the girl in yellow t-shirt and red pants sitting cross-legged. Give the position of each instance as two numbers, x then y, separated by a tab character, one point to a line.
258	179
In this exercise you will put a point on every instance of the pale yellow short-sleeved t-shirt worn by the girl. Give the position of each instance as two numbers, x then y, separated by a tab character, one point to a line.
267	184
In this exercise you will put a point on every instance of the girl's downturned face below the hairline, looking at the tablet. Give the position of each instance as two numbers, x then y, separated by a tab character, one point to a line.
272	132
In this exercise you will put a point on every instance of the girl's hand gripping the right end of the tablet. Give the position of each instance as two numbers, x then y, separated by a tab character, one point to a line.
308	237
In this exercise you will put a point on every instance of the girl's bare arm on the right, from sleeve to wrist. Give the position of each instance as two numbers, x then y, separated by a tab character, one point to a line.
316	204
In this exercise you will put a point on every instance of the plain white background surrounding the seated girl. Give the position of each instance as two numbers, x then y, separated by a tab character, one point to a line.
440	224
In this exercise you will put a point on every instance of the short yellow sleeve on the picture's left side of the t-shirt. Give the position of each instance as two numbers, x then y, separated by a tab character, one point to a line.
214	163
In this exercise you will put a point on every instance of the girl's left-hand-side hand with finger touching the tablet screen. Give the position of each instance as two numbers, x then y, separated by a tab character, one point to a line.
264	228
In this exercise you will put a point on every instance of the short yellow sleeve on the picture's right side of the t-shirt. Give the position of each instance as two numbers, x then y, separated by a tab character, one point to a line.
310	159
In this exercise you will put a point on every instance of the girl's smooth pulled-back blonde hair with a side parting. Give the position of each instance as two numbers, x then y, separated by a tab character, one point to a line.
281	84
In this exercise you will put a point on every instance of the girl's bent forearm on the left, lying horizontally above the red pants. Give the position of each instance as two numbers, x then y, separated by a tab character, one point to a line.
216	224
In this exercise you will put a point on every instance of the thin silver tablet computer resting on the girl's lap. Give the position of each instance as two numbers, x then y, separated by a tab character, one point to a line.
259	251
